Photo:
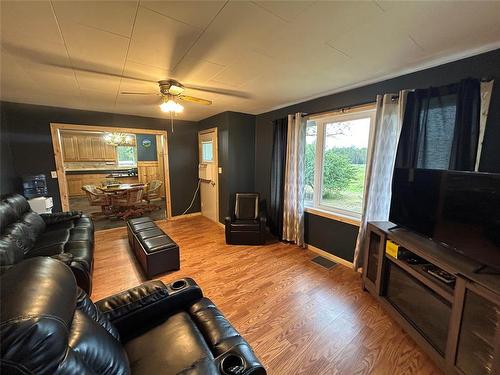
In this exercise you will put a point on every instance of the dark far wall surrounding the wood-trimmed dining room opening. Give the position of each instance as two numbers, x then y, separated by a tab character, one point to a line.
27	147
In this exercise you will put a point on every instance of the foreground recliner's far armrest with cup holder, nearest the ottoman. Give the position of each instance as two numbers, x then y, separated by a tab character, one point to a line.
142	307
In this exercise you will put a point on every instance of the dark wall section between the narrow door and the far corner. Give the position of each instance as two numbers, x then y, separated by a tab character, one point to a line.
236	142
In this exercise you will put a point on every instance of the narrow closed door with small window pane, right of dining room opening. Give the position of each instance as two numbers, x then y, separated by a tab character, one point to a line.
208	168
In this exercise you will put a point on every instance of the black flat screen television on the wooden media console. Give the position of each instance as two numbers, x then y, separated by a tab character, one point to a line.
460	210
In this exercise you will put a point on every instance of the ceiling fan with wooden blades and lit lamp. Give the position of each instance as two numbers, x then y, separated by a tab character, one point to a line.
170	91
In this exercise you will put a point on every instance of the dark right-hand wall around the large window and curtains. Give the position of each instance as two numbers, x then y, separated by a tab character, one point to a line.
339	238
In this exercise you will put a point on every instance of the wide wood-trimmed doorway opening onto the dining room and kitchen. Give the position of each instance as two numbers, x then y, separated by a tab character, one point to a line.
112	174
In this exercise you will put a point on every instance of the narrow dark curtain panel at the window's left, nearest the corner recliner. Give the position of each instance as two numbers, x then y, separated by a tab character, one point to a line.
280	129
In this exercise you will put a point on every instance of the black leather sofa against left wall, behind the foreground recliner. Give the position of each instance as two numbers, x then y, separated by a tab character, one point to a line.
67	236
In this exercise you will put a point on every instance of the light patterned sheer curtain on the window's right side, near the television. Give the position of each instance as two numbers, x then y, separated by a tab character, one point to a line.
381	156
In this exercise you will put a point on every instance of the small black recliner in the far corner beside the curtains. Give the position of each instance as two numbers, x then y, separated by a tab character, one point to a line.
247	226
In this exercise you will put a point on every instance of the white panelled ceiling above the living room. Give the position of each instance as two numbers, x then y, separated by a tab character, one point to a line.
277	52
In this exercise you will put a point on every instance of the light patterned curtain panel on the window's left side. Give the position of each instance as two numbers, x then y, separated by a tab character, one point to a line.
293	204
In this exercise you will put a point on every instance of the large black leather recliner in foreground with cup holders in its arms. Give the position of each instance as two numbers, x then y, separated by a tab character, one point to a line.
49	326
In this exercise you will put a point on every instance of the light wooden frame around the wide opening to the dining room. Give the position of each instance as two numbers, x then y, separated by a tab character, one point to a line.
55	131
